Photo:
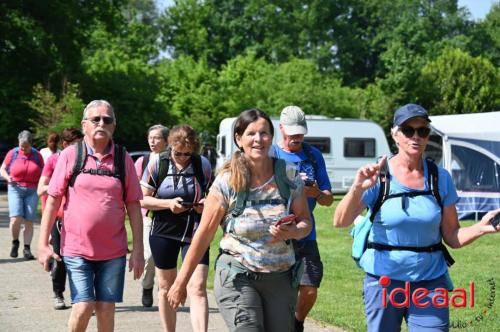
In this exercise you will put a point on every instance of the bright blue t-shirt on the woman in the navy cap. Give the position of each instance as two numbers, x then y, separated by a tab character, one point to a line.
416	222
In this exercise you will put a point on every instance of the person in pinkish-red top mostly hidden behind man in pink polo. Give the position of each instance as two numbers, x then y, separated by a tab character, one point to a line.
58	269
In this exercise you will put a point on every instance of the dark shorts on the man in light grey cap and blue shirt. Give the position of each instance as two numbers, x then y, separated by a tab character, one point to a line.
313	267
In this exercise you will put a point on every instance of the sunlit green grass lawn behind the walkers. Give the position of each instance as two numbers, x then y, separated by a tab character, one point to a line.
340	299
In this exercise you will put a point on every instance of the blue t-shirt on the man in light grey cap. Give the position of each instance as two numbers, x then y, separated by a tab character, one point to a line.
305	166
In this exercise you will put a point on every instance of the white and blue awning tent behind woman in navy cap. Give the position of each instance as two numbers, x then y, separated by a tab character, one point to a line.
468	146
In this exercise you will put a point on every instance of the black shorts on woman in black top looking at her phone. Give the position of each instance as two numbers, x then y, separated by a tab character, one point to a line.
165	252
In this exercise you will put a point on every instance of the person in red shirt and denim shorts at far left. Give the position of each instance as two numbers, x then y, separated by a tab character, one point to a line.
21	169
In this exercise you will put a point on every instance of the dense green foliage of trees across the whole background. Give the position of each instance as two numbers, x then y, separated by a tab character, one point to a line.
201	61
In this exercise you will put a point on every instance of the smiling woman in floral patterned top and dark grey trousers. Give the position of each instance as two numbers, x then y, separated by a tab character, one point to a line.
255	279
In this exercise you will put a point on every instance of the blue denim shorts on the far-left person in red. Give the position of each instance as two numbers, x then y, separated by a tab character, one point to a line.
23	202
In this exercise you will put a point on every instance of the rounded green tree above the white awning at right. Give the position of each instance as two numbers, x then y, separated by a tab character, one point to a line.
458	83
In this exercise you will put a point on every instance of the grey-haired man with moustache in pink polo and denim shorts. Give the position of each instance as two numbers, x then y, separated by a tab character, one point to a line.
93	236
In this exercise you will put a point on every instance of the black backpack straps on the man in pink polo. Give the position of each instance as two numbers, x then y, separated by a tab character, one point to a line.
81	156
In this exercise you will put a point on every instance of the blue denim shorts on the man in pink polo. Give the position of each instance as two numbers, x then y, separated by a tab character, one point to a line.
90	281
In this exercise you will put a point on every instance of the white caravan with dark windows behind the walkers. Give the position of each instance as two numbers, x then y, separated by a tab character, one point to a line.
346	145
